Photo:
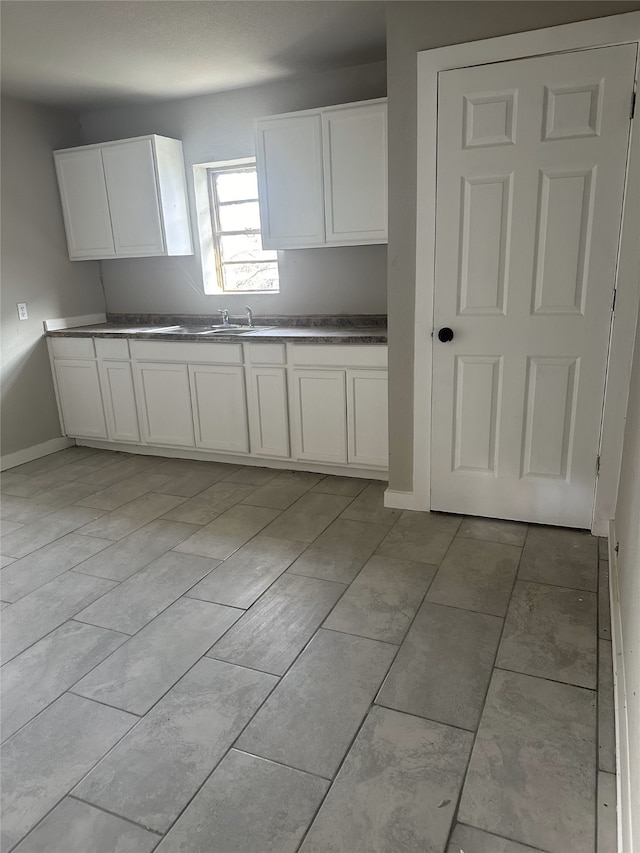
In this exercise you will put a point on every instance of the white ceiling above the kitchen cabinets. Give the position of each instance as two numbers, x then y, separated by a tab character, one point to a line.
94	53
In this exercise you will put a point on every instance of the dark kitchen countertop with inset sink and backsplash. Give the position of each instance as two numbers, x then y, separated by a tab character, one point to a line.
342	330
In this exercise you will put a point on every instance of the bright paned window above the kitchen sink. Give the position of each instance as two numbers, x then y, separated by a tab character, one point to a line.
241	264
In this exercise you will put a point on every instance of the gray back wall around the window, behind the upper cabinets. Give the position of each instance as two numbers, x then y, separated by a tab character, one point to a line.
220	127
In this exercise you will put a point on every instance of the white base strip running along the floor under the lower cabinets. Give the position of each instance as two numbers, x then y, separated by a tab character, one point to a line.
233	459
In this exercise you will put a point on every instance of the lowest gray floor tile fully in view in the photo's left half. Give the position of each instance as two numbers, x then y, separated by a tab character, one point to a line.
175	747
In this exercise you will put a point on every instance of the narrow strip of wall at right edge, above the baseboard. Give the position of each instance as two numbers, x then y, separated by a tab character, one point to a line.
627	527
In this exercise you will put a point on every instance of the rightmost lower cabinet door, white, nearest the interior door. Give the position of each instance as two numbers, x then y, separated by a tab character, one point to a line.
367	409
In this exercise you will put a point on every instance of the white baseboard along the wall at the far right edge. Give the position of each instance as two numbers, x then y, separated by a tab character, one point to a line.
623	778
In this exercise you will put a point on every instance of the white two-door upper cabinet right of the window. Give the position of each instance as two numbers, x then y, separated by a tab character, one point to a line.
322	176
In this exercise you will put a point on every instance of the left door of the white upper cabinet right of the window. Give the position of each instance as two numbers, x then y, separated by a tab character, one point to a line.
289	163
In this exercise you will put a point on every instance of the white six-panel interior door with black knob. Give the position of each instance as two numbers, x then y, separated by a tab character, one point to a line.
530	183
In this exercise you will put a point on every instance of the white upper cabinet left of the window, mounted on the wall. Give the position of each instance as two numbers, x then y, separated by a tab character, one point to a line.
125	199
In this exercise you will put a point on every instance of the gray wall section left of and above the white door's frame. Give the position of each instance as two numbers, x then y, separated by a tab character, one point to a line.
412	27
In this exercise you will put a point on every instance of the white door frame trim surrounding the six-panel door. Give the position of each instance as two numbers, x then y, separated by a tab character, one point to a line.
601	32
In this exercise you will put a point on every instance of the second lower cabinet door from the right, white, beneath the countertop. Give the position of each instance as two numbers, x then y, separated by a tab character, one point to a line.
319	410
